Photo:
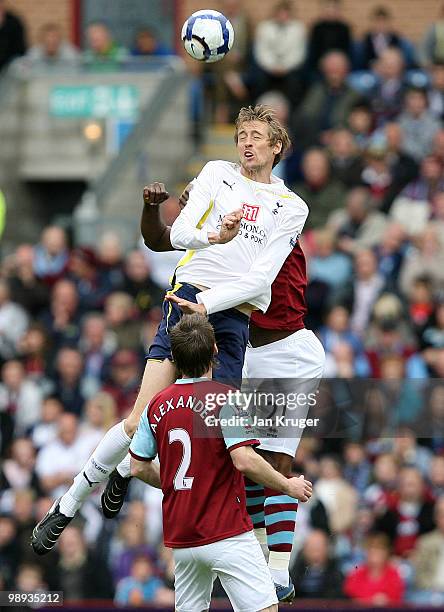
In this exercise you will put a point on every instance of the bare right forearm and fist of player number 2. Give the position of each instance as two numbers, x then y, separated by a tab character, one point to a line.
250	463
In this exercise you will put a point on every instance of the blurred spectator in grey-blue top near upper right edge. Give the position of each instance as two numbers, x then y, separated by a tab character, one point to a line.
418	125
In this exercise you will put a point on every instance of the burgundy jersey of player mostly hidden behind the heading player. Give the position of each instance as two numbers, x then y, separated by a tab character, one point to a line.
288	308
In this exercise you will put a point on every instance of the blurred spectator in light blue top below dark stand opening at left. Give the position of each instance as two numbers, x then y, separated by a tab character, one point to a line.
51	255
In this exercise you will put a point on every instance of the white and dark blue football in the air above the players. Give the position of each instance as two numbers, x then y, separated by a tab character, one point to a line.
207	36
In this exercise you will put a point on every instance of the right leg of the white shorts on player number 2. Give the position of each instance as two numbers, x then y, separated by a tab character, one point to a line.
242	570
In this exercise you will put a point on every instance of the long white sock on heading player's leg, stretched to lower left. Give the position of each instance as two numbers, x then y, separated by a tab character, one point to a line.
111	450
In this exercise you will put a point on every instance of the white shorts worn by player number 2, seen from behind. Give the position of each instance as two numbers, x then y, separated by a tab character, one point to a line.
240	565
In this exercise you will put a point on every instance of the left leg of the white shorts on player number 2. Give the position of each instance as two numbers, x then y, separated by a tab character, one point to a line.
193	580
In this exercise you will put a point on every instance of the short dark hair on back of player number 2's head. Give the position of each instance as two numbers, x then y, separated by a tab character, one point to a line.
192	345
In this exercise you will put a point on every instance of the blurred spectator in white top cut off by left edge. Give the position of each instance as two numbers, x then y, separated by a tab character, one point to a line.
14	322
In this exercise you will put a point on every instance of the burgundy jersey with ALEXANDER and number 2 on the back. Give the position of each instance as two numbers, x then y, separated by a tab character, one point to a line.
204	495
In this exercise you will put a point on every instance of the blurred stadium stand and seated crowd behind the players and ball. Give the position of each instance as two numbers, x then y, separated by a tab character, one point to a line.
97	100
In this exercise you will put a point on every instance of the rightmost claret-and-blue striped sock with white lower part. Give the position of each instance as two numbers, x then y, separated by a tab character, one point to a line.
280	523
